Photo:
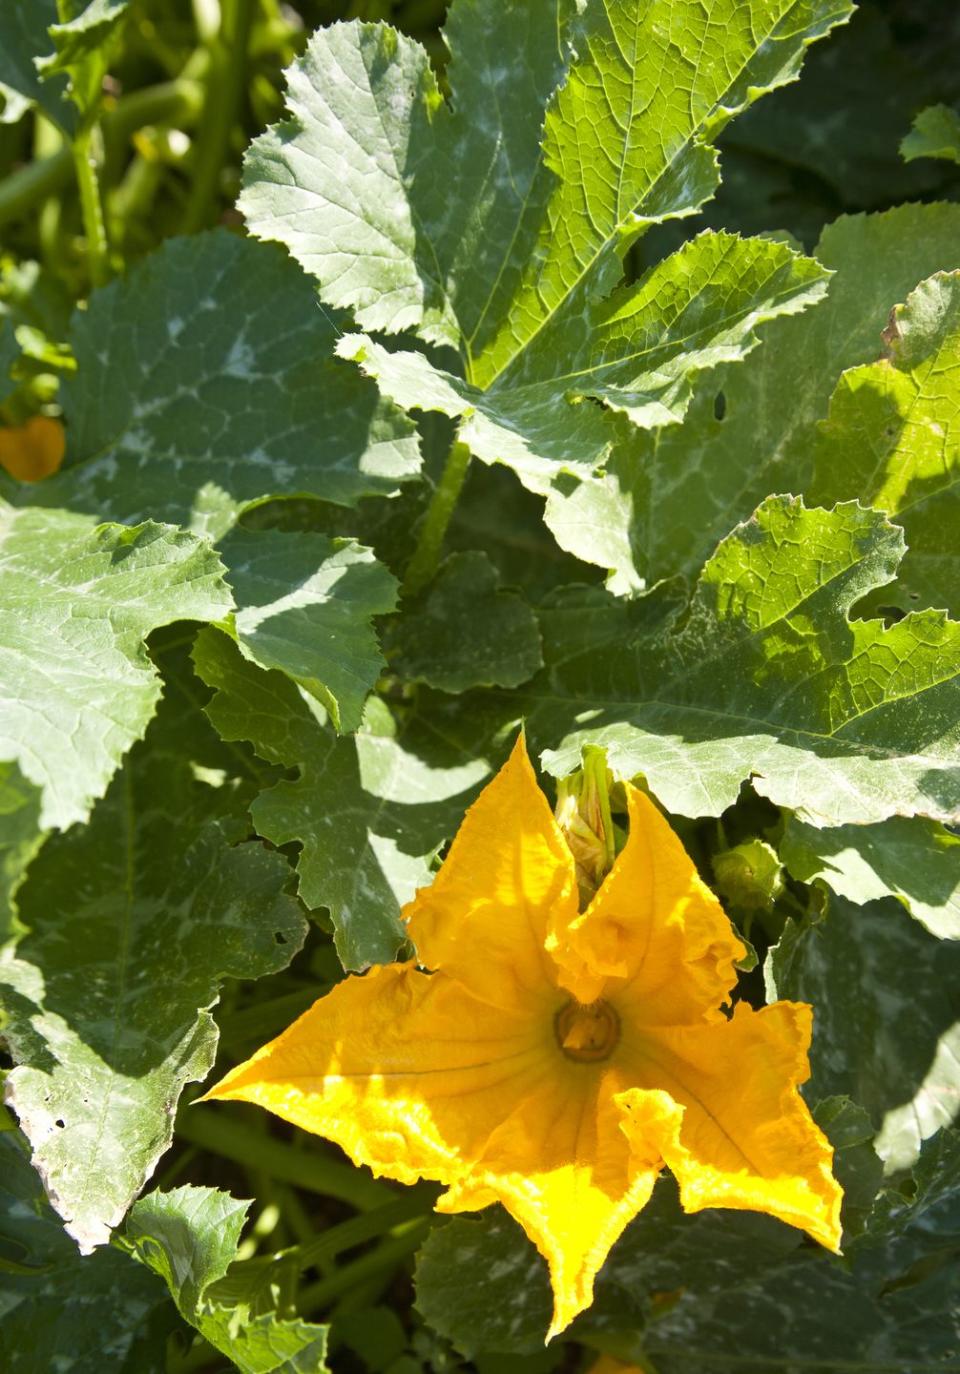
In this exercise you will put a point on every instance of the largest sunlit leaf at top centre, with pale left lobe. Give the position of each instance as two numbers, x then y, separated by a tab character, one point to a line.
450	219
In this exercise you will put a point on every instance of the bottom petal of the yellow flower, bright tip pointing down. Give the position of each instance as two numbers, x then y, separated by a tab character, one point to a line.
565	1170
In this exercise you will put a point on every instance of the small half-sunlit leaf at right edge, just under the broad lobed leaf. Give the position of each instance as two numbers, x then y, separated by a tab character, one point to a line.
915	861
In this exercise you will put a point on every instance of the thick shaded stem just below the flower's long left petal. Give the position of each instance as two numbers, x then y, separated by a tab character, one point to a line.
310	1171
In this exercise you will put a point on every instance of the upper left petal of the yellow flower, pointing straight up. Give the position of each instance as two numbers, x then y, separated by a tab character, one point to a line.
485	917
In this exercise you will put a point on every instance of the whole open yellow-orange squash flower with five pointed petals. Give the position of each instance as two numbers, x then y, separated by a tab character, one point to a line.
556	1060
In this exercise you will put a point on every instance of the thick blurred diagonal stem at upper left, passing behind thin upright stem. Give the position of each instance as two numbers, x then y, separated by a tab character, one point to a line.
174	102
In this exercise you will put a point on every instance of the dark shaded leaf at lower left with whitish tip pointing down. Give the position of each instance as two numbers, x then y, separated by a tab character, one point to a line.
134	921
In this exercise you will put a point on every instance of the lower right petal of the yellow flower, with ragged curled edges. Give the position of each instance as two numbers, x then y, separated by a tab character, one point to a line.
746	1138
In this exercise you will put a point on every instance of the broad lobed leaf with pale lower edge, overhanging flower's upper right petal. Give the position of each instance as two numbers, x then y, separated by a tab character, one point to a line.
764	675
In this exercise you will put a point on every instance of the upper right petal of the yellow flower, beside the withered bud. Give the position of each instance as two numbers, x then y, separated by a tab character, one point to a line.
654	928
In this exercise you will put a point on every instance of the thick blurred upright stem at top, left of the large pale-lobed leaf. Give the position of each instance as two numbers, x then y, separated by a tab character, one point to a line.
226	83
